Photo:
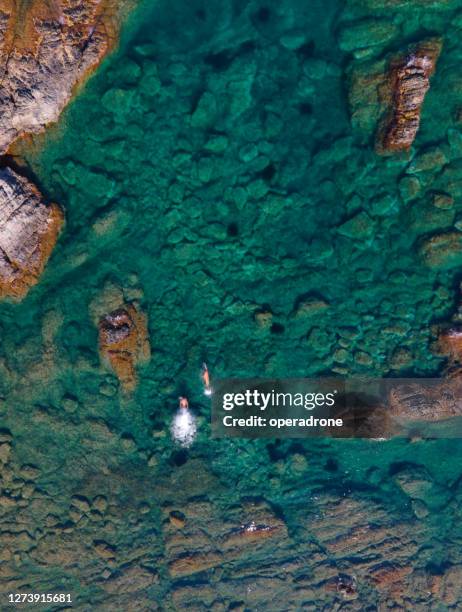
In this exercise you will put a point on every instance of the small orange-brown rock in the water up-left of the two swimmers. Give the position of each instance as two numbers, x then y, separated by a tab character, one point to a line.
123	341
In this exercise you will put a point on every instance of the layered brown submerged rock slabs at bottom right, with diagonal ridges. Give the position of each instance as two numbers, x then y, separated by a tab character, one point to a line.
349	550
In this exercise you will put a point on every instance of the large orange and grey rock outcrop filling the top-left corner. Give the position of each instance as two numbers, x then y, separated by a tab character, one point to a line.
46	49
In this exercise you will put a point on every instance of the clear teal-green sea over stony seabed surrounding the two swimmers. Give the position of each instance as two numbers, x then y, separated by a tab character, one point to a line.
217	180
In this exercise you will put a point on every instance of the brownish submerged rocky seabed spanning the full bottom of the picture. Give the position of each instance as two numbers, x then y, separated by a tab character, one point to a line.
186	540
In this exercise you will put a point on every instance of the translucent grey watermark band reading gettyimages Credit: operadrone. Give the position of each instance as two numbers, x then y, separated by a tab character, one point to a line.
338	408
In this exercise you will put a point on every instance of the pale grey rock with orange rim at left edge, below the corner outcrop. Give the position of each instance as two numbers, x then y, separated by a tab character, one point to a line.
28	232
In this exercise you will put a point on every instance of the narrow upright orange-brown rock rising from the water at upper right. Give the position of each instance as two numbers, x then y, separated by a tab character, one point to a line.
409	81
